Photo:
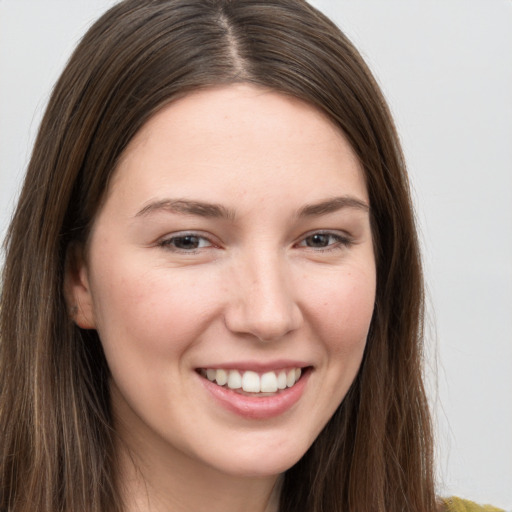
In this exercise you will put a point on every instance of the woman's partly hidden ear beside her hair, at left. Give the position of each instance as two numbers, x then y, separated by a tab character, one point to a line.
77	290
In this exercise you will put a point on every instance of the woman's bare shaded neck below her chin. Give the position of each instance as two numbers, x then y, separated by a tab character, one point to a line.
162	479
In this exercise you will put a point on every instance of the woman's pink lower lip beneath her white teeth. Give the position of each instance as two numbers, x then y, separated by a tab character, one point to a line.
257	408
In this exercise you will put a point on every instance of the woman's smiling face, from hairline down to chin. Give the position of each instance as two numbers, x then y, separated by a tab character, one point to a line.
233	249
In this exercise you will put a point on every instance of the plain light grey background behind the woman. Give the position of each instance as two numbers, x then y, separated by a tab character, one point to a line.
446	69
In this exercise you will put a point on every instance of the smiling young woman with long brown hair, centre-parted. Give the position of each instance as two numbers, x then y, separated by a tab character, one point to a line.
212	294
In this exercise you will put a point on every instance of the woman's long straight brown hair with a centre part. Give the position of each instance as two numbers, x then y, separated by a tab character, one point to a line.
57	454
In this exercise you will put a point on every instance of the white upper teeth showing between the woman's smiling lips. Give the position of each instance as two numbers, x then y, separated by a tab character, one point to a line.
253	383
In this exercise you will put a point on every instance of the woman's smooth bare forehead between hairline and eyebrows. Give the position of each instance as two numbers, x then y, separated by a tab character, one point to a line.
240	139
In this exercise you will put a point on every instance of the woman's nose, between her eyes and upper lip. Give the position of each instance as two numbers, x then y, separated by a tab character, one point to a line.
262	301
